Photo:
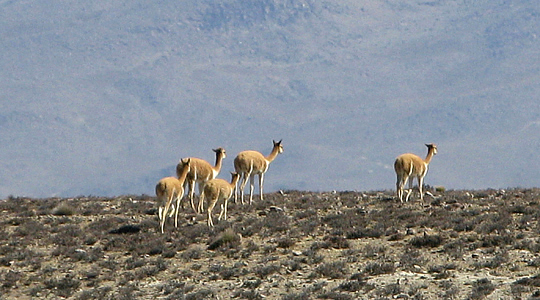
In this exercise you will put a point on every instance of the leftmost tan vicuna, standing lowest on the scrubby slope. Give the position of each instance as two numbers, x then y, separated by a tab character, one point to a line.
168	189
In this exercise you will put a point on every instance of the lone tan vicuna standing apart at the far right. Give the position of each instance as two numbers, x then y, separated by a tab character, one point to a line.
410	165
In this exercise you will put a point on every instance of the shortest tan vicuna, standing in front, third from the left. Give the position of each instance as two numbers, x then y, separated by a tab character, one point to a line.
217	190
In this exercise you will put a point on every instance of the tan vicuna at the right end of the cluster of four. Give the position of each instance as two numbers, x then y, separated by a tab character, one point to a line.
250	163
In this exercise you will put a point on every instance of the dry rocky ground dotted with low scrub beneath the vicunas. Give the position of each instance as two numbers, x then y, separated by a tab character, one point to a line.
480	244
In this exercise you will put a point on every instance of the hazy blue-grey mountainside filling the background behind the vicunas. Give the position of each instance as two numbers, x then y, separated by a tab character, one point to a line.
105	97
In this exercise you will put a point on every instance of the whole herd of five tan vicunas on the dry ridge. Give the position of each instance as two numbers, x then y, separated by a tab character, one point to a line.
247	164
